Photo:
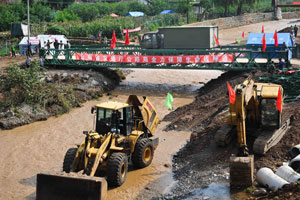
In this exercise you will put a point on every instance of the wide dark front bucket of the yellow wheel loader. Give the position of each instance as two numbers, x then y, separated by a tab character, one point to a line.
67	187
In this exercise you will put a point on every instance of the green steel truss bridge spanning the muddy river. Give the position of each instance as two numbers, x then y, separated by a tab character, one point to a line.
228	58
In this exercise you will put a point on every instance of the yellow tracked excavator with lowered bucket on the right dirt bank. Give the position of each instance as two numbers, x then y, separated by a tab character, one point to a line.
254	113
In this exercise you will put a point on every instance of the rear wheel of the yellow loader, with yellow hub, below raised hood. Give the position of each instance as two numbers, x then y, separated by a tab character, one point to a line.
143	153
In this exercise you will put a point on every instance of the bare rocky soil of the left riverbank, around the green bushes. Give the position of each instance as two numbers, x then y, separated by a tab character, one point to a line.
85	85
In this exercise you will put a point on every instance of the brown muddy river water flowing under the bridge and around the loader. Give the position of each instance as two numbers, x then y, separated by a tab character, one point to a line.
41	146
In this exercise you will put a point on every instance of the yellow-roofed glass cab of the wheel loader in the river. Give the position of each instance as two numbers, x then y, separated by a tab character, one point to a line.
114	117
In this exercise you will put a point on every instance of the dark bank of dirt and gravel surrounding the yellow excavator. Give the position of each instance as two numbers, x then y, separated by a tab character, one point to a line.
201	162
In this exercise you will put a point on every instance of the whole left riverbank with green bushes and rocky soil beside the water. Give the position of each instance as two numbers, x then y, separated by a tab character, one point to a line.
34	94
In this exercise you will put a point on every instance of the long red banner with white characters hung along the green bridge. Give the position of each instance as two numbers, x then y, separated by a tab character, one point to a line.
212	58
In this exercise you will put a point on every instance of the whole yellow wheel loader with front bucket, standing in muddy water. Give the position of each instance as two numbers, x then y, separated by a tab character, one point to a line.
123	132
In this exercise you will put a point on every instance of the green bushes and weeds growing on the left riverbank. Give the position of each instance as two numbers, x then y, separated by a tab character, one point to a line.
26	85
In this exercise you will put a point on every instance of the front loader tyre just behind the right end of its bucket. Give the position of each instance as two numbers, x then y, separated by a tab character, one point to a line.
117	169
